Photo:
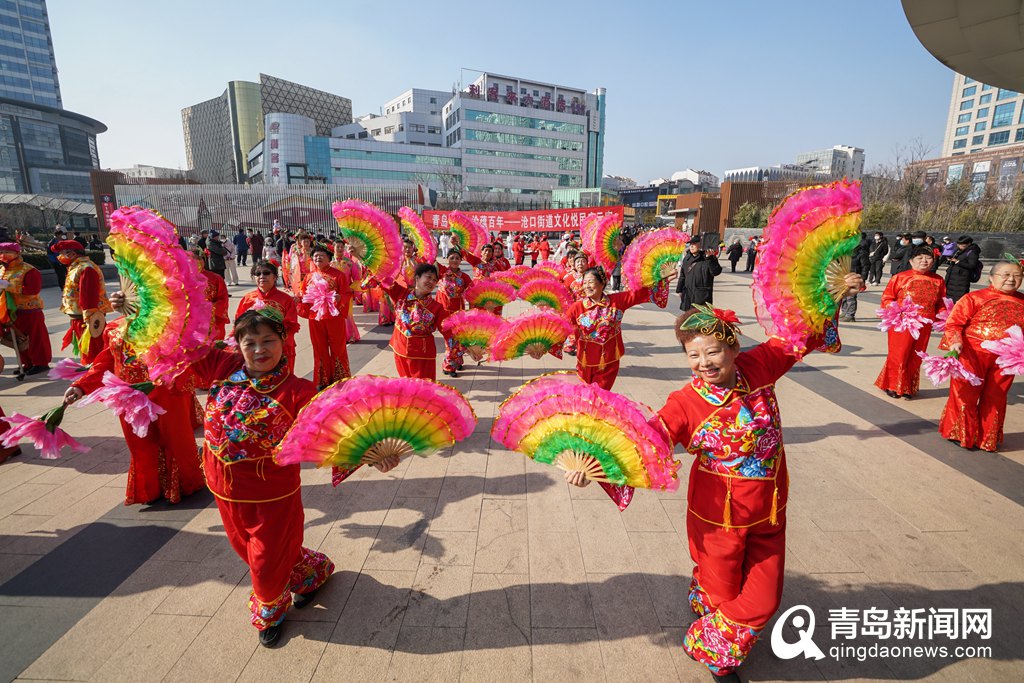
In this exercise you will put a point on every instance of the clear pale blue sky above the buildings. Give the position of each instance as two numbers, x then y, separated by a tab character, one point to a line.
709	86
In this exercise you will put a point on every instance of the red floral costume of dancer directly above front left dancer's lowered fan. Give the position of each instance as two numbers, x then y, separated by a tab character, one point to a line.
413	338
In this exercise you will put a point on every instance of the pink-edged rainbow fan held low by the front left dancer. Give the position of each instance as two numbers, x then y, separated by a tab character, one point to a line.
364	420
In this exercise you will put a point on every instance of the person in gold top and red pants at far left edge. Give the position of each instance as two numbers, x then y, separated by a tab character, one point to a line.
22	308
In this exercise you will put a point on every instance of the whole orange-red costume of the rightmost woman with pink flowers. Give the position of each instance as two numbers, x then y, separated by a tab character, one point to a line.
974	415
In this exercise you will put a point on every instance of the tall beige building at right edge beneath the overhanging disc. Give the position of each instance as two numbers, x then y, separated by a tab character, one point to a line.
982	117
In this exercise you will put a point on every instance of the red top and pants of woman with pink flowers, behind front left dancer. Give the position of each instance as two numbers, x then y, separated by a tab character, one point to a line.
165	462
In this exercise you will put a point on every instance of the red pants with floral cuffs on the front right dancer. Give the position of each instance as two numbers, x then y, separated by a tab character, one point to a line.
737	588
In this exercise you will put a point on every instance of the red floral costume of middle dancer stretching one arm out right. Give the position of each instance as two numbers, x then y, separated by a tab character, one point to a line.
599	330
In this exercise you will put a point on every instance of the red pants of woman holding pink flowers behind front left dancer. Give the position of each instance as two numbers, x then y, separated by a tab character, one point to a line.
165	463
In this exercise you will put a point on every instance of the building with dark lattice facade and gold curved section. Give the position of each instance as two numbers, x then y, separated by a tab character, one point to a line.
221	133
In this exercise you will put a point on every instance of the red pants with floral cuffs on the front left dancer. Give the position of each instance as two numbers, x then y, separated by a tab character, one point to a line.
269	538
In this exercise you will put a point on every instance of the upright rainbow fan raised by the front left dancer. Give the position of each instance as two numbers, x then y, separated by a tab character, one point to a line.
165	294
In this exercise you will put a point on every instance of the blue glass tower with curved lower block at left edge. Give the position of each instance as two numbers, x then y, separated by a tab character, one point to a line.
45	149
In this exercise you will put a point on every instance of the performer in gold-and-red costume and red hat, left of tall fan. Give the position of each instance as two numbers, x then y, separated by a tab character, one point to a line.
84	302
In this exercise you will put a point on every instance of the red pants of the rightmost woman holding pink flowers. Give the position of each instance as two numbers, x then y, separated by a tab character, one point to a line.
974	415
